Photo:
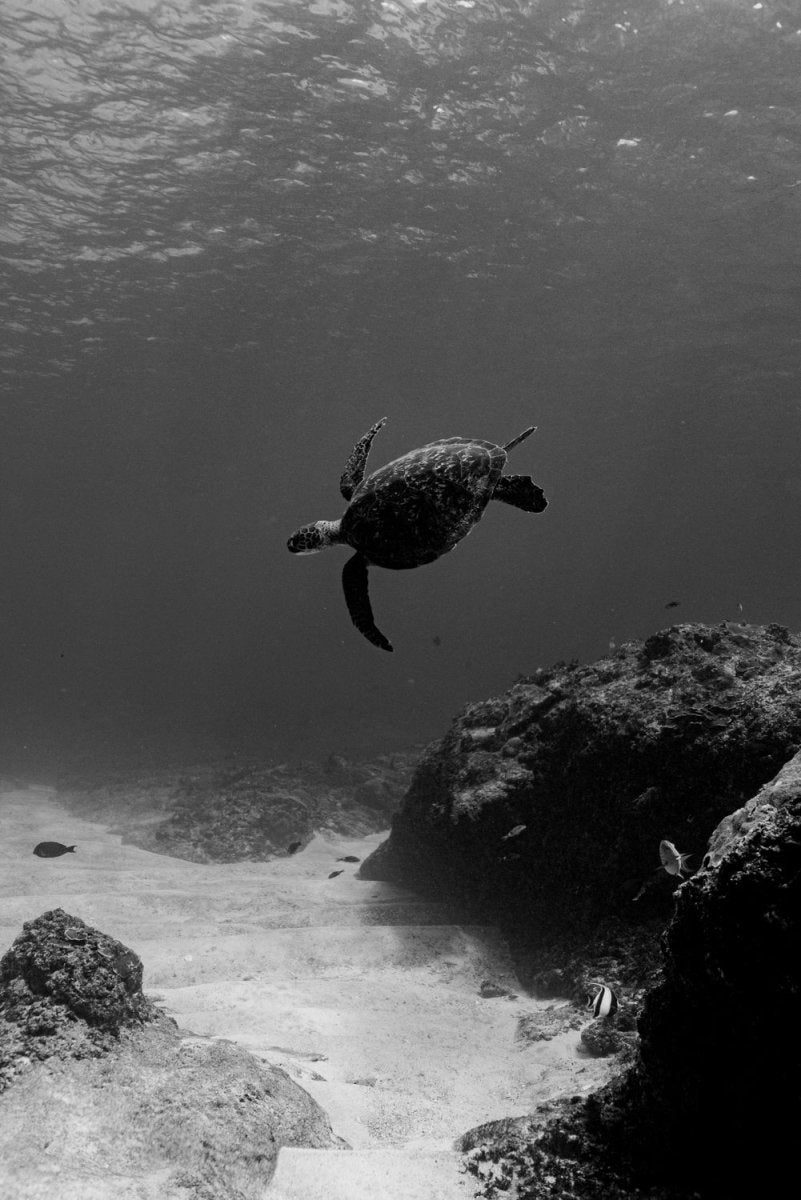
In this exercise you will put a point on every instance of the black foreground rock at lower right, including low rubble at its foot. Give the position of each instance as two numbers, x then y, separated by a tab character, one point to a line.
709	1107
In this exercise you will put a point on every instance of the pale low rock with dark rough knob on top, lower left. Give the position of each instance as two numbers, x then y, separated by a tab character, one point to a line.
99	1085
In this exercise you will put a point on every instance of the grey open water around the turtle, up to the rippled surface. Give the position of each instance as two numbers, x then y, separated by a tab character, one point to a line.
236	235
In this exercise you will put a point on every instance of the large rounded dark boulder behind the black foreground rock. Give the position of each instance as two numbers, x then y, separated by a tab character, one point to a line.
545	808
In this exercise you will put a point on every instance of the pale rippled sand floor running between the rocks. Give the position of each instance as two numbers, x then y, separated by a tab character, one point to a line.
362	991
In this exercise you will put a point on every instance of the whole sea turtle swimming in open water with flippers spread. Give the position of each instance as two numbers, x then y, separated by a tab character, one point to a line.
413	511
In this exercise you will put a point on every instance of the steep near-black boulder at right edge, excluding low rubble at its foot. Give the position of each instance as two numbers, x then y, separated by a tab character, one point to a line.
720	1066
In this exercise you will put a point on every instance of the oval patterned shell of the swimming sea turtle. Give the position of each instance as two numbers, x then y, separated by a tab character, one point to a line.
420	506
